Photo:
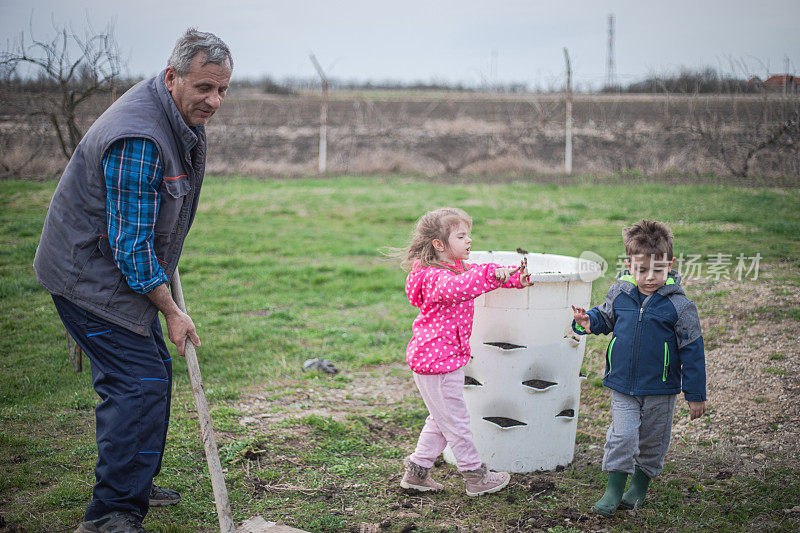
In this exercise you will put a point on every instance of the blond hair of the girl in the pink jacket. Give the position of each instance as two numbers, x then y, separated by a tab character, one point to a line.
437	224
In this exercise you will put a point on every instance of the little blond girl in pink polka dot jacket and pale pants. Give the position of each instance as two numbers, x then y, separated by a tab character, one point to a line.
443	286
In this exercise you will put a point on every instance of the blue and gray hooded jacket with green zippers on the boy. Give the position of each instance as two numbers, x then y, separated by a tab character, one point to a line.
655	347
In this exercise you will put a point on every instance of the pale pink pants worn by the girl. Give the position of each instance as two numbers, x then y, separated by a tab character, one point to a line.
447	423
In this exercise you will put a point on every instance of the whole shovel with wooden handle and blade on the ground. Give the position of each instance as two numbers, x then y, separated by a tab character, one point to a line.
256	524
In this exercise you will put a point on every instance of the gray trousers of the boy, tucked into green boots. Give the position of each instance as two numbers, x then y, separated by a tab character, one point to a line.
639	434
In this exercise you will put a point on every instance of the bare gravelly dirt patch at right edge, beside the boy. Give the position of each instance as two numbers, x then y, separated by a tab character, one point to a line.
753	364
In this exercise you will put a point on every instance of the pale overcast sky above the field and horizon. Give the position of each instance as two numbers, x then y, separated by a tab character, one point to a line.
468	41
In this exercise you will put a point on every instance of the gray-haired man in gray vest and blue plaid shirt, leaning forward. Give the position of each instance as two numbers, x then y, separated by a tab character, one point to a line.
110	244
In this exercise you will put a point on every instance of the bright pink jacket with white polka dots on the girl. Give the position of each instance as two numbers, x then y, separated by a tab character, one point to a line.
441	331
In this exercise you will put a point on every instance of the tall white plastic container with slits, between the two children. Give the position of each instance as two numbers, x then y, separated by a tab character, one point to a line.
522	384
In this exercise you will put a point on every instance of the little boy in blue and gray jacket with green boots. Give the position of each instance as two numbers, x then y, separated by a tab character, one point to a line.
656	350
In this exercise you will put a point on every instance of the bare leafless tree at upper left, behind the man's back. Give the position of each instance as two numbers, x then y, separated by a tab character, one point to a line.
74	67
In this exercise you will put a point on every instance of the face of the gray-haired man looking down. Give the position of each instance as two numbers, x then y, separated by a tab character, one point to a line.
199	93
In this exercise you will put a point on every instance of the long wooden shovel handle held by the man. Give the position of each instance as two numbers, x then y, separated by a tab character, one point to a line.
206	429
